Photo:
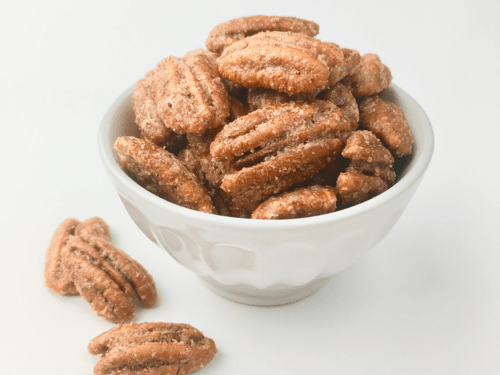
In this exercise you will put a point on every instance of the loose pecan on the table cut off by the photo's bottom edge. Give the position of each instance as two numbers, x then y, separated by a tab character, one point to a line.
152	348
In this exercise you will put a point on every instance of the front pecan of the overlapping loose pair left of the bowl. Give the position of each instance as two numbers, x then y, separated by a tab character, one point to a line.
107	278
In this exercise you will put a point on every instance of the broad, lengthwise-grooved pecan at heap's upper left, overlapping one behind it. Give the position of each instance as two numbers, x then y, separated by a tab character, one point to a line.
189	94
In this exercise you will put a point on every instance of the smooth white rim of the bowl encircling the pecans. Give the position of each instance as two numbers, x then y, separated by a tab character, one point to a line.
420	162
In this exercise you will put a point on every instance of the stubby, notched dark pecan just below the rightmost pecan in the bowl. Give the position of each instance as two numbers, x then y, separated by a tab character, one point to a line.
370	172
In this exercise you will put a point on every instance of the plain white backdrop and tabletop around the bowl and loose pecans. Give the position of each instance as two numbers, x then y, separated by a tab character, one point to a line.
426	300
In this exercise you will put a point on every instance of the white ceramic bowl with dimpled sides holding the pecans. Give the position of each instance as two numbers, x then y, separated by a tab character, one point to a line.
266	262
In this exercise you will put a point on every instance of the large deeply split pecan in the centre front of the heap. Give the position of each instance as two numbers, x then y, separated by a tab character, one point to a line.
274	147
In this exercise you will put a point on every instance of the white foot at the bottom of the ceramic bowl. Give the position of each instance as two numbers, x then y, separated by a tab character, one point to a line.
272	296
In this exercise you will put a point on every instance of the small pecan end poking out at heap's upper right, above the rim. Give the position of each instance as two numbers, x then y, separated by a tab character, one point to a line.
370	78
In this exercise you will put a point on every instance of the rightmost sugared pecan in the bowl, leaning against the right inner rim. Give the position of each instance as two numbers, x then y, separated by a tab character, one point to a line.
388	122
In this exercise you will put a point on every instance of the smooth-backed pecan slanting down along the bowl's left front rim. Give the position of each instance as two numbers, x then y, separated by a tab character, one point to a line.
162	173
